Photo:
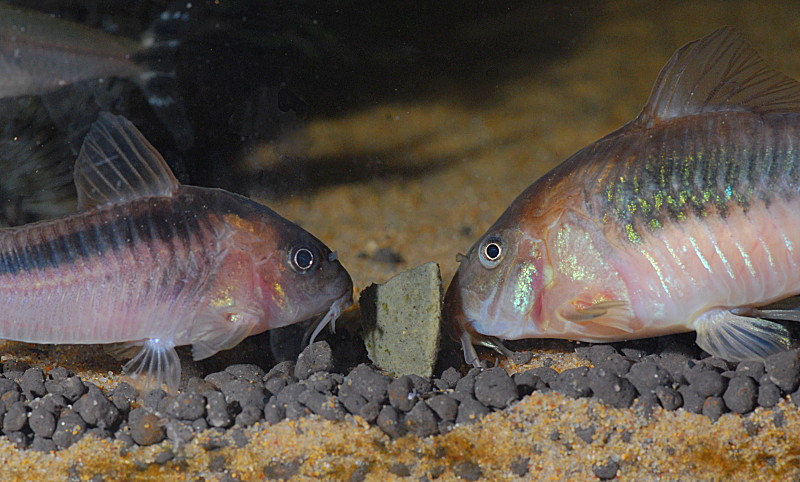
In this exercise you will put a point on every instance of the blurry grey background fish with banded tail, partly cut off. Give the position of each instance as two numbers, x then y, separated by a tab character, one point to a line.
40	54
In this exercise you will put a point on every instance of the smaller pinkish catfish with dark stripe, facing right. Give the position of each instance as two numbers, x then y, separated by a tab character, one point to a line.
156	264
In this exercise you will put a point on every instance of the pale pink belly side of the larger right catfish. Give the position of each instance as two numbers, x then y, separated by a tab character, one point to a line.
749	257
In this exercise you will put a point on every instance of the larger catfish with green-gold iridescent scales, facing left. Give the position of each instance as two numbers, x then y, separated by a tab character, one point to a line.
684	219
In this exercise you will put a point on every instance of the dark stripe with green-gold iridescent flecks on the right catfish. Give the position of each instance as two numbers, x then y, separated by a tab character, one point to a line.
712	168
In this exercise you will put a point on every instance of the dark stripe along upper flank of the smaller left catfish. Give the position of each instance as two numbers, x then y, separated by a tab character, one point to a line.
109	231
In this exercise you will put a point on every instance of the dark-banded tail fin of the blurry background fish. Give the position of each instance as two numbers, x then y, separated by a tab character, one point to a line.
159	82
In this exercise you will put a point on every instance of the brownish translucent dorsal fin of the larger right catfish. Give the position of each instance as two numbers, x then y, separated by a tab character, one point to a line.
719	72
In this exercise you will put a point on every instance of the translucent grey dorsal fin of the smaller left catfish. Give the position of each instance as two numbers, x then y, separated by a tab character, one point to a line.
117	164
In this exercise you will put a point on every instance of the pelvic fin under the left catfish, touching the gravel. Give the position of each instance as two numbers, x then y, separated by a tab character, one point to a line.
156	365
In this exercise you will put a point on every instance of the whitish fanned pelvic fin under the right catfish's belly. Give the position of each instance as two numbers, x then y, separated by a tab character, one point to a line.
734	337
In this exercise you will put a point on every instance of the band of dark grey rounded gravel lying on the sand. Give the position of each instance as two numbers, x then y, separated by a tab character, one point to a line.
53	410
